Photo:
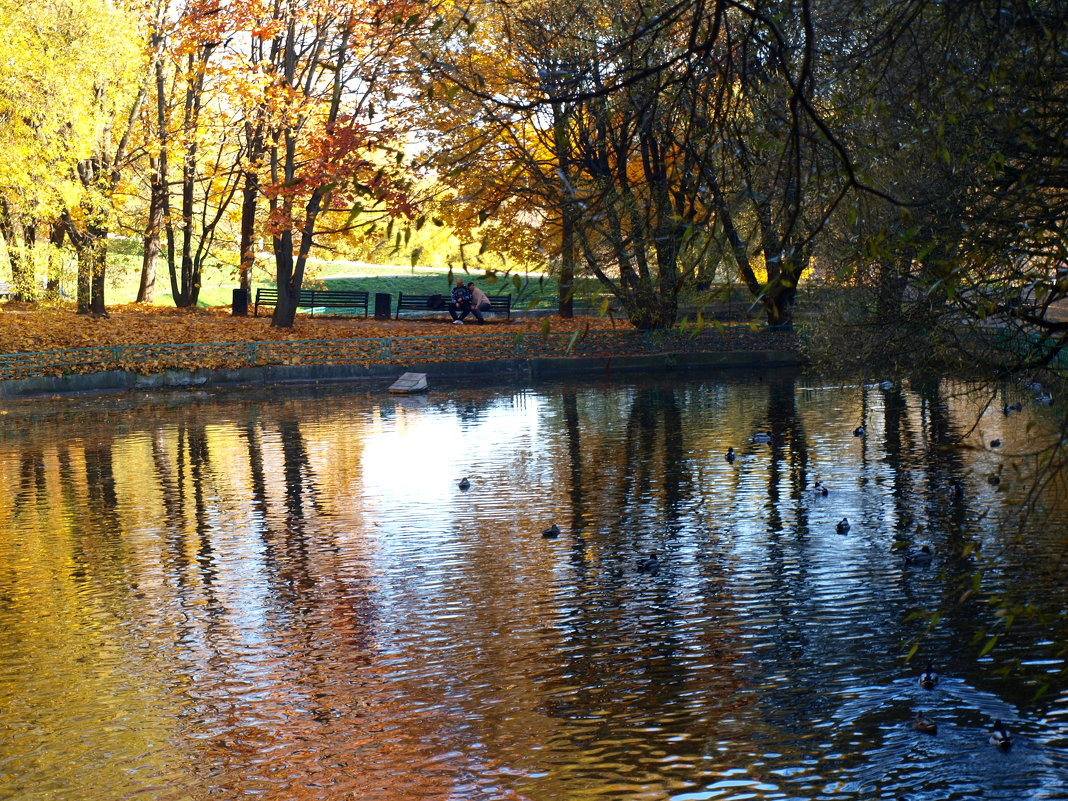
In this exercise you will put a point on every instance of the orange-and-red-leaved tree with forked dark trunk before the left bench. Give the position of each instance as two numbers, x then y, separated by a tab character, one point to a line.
324	153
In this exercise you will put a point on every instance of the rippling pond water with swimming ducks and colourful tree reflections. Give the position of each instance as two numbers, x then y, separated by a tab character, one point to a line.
226	595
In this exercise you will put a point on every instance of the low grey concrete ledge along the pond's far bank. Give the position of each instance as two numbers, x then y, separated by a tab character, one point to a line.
117	381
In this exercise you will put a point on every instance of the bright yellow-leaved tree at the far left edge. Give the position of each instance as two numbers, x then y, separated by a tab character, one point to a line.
65	83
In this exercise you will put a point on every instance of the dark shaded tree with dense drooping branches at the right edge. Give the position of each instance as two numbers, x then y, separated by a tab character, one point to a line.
959	131
